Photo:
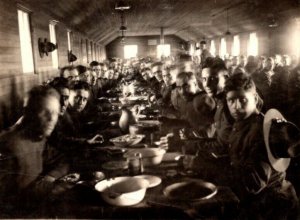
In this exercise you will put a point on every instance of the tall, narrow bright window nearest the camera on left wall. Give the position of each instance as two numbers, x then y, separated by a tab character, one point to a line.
25	42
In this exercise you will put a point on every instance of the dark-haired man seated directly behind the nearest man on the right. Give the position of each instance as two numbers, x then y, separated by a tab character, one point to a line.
211	152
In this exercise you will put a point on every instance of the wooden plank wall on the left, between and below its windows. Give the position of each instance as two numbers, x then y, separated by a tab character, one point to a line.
14	84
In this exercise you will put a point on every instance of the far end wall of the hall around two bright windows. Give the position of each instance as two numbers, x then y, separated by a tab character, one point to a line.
115	48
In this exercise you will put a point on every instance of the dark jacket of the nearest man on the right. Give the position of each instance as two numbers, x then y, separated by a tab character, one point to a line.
262	190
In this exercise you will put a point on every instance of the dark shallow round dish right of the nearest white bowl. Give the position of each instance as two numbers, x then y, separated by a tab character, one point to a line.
191	190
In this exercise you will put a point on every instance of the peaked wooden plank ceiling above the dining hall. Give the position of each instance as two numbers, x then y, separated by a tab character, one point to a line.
188	19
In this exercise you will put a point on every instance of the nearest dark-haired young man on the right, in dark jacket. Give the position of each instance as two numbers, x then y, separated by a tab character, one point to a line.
263	191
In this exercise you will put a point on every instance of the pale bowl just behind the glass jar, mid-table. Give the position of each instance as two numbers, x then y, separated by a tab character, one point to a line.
150	156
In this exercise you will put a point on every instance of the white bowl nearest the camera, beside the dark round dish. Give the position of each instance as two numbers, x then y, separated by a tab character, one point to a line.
123	191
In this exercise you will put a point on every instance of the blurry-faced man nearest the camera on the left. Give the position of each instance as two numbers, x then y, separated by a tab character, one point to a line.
23	177
